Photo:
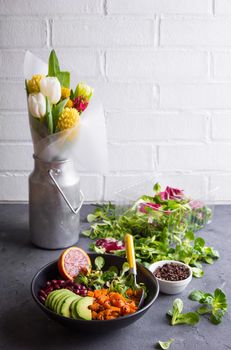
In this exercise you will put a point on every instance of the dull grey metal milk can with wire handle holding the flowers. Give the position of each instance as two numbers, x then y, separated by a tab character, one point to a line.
55	200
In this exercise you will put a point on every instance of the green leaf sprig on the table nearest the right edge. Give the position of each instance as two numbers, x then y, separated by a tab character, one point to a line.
213	304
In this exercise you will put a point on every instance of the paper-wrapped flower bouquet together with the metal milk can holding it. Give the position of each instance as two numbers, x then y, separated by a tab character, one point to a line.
63	124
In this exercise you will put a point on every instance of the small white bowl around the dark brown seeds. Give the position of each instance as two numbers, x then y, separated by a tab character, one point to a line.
171	287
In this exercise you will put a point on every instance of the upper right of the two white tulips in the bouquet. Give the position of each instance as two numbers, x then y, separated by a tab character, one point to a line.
50	87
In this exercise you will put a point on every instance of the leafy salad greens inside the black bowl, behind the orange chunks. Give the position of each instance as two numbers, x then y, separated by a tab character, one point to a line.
112	279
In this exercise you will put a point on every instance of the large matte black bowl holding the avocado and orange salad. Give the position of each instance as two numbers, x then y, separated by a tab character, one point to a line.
50	272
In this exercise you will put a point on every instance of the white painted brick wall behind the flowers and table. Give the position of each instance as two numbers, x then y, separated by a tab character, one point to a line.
163	71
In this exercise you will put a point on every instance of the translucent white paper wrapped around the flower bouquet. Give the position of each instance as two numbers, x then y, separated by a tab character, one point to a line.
85	144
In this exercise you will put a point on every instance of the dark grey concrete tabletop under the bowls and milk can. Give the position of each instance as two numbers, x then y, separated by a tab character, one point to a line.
24	326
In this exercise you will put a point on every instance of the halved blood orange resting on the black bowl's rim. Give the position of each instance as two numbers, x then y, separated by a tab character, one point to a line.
73	261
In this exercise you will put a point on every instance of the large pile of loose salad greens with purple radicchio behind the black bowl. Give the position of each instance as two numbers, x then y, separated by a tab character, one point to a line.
162	227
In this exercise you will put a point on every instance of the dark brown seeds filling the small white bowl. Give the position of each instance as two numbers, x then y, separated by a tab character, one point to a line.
172	272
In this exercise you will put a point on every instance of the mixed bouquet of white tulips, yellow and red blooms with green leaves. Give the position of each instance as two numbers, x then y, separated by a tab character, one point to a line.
55	111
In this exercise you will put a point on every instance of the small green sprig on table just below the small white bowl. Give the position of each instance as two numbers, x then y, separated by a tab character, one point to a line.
177	317
